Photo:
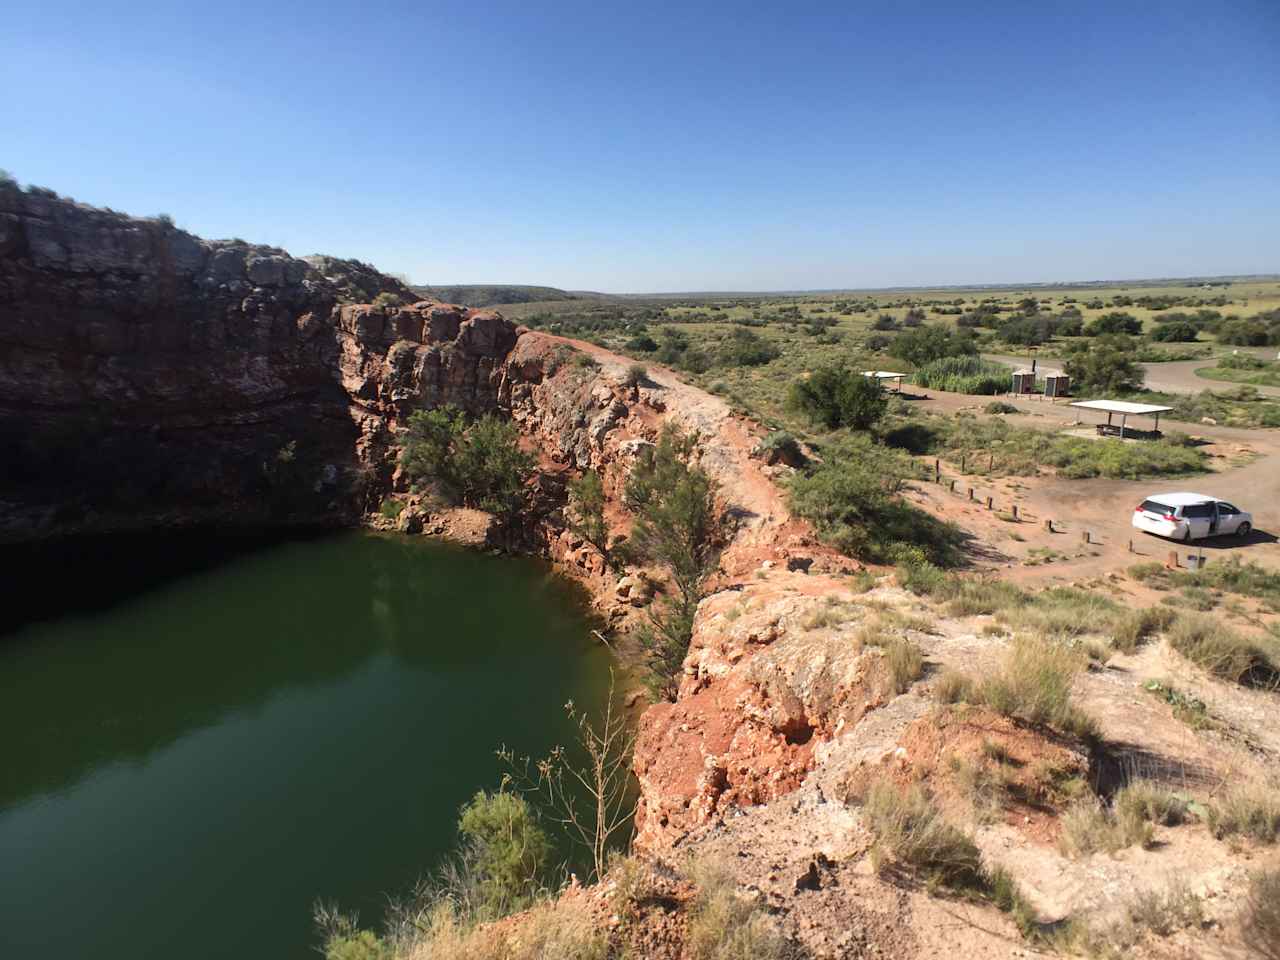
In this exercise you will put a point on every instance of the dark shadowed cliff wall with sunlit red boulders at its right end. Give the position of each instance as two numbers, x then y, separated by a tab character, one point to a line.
153	378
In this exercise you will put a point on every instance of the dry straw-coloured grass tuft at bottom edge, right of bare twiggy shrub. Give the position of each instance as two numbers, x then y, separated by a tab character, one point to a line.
726	926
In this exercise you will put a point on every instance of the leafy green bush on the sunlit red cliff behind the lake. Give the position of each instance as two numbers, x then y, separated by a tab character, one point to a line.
479	464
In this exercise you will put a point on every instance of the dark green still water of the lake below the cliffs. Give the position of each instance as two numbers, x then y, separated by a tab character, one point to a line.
202	738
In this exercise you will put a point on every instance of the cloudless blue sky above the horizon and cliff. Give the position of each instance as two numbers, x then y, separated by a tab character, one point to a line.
652	147
